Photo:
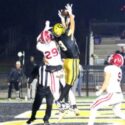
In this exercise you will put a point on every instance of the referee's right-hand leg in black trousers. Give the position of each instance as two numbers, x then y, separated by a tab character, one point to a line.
49	102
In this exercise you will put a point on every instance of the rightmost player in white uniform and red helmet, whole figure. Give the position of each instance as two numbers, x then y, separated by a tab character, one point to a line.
110	92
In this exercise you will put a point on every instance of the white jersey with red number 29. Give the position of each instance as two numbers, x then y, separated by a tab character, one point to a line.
50	52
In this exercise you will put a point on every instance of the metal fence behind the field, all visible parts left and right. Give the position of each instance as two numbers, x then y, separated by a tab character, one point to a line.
92	78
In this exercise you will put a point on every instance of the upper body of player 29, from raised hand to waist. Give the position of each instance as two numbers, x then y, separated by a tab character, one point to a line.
47	45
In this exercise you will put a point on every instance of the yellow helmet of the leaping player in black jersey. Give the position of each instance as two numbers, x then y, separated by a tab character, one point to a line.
58	29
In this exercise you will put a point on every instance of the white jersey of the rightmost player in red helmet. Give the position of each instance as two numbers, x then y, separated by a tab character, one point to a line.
115	80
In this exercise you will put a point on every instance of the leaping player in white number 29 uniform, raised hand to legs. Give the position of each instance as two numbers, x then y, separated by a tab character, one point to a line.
52	57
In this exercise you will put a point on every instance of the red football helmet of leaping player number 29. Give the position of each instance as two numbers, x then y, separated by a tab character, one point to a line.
45	36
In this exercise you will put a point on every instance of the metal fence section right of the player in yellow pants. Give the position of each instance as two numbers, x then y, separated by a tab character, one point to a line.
94	76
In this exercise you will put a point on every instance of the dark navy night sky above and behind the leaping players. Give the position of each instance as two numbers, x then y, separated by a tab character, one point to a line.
22	20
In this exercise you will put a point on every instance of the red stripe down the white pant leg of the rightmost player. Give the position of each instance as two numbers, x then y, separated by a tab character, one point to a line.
98	102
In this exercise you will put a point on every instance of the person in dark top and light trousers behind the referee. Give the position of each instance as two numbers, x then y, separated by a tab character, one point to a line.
32	89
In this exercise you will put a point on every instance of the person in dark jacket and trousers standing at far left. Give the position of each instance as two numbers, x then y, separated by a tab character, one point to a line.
15	77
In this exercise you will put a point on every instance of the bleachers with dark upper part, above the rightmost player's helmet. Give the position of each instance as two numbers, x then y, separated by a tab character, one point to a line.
109	35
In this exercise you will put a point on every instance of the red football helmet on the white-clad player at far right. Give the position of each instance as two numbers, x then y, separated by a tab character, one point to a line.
116	59
